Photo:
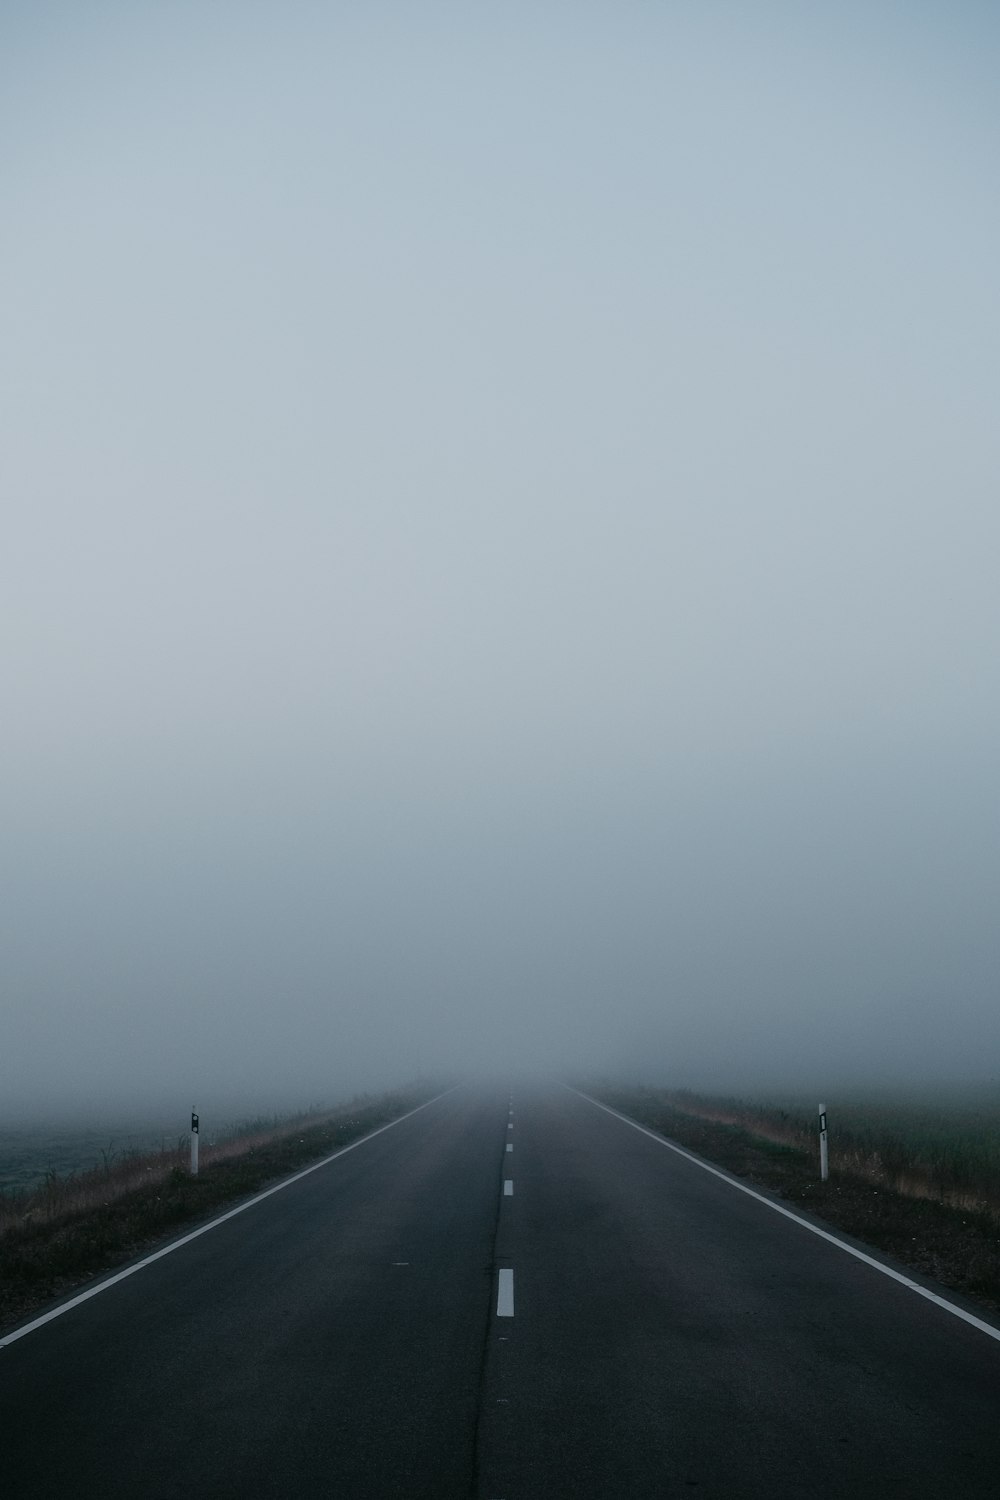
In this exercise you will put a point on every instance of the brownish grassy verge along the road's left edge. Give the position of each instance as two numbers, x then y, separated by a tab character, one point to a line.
61	1237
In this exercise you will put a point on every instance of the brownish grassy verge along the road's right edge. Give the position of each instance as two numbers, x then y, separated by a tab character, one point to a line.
957	1246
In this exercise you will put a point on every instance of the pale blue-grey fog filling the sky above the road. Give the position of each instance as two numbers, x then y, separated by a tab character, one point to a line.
500	551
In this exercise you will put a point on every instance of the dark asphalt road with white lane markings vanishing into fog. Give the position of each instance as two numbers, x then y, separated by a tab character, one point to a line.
617	1322
